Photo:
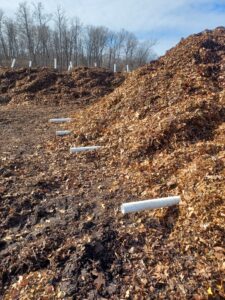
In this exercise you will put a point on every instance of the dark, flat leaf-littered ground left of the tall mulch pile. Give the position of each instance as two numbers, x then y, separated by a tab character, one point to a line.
55	212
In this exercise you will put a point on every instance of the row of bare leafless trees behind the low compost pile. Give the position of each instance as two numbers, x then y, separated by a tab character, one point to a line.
40	37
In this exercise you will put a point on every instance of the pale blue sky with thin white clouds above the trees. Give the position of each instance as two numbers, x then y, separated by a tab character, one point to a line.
166	21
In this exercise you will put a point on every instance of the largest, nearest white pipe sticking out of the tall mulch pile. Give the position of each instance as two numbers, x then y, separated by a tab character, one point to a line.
149	204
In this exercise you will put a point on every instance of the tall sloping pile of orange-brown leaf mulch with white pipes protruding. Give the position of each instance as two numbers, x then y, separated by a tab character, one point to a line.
164	130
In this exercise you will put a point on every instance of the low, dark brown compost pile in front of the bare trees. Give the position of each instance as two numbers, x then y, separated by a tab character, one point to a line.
45	86
